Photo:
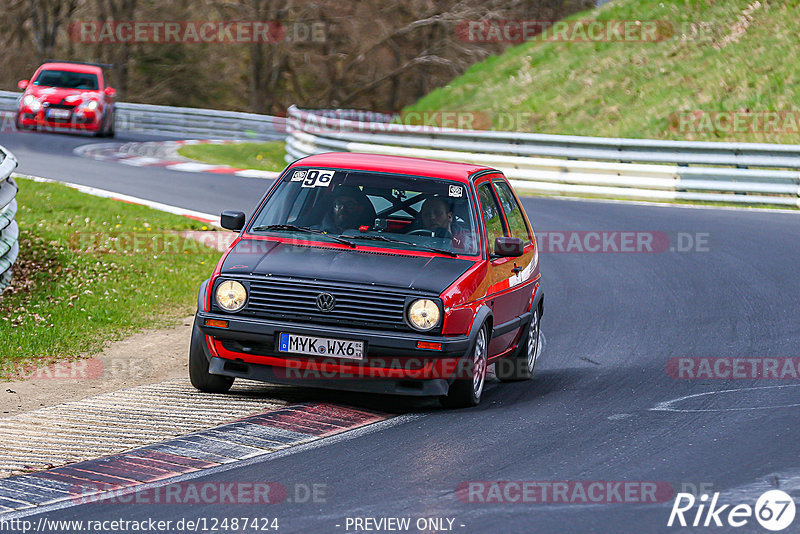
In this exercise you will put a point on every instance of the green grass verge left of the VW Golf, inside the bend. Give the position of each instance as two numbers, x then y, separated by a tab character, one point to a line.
92	270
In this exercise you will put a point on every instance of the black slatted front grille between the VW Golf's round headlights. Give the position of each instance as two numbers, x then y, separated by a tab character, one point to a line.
297	300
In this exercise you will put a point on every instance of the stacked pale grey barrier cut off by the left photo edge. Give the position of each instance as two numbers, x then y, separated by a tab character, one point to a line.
9	231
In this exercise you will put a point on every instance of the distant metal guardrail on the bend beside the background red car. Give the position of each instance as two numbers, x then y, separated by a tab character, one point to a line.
182	122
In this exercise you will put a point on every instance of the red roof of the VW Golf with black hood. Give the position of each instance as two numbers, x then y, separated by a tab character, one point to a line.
394	164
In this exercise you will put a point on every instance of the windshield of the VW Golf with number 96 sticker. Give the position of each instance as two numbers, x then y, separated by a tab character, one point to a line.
375	209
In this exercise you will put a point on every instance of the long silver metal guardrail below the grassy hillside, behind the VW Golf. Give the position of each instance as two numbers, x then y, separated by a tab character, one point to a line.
746	173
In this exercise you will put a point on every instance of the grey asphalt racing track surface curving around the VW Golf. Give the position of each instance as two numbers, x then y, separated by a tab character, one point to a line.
612	321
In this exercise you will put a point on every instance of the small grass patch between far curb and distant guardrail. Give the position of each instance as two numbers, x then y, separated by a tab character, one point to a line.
260	156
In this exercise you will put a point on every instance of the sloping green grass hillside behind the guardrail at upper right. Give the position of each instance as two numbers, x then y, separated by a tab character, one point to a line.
724	57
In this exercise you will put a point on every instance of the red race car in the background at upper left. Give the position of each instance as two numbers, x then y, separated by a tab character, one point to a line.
67	95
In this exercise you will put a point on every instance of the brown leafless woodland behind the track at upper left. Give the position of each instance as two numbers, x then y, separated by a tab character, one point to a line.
373	54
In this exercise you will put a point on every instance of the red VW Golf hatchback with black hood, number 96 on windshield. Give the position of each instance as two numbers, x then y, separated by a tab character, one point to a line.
374	273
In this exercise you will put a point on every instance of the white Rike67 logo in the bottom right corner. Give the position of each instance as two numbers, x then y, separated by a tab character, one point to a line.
774	510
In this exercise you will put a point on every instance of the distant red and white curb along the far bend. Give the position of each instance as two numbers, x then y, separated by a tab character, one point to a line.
164	154
